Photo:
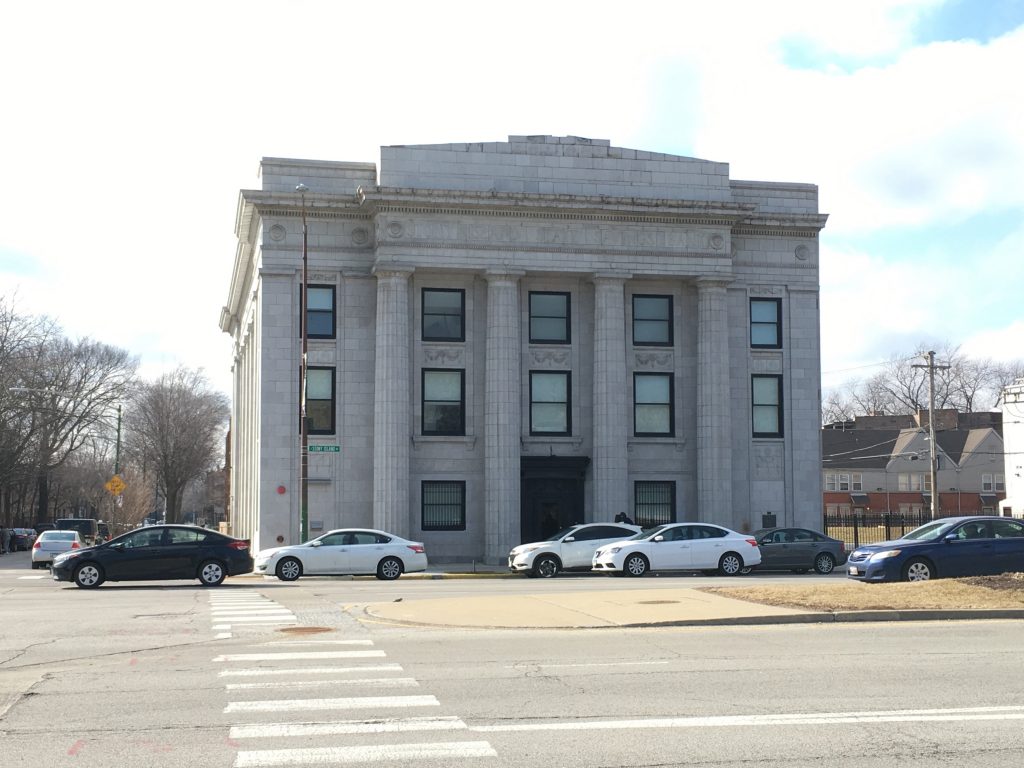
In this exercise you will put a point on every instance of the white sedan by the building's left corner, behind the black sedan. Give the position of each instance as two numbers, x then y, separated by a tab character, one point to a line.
346	552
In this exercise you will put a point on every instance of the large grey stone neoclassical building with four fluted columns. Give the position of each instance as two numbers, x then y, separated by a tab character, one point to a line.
507	338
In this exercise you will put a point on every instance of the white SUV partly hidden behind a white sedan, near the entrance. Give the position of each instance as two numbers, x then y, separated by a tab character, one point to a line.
569	549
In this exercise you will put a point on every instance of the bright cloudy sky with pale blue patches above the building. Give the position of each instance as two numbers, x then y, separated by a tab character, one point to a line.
135	127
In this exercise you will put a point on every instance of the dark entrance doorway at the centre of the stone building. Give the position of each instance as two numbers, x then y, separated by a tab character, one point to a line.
551	495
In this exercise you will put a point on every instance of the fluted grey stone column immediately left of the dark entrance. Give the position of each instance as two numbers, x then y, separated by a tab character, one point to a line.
502	416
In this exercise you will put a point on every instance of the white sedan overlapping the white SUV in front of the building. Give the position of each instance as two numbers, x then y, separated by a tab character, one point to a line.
682	546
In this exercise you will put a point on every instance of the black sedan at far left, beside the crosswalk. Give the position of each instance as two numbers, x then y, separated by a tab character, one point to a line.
157	552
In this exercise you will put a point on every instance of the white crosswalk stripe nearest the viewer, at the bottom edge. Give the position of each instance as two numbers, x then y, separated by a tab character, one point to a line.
336	755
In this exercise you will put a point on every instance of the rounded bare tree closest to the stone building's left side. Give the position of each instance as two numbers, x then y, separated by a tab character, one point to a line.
177	426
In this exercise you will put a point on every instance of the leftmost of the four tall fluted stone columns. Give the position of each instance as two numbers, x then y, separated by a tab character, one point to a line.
392	402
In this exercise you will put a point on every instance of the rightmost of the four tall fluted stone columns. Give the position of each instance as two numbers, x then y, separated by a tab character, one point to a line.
714	423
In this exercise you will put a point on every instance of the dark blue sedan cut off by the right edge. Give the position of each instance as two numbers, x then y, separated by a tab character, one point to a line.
950	547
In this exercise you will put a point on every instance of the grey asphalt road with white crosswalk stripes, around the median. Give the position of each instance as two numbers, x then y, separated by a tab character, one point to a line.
268	674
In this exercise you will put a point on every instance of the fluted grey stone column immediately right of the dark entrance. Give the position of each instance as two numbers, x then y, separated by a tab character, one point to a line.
612	396
